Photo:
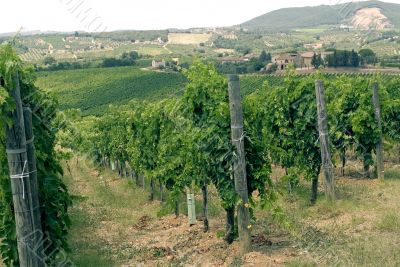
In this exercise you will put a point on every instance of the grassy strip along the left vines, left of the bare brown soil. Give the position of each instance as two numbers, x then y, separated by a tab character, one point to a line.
104	207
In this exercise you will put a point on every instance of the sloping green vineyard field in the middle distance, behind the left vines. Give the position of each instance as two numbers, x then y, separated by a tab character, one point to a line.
92	90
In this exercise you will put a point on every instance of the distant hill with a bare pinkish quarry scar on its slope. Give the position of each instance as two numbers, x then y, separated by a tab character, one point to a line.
363	15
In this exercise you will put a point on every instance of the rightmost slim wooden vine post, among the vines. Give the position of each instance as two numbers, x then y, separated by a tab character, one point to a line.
379	146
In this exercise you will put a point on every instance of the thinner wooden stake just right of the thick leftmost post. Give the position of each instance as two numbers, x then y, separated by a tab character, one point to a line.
35	209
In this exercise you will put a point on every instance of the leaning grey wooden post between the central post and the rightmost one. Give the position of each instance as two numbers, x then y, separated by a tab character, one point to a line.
324	140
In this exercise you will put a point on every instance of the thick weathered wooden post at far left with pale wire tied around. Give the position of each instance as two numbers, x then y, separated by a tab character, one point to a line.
20	183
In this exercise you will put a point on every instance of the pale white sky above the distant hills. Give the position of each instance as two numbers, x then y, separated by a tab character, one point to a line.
100	15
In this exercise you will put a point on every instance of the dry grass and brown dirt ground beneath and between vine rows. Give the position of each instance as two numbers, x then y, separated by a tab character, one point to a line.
116	225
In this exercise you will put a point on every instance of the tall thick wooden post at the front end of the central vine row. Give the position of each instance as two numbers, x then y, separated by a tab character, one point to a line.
239	168
